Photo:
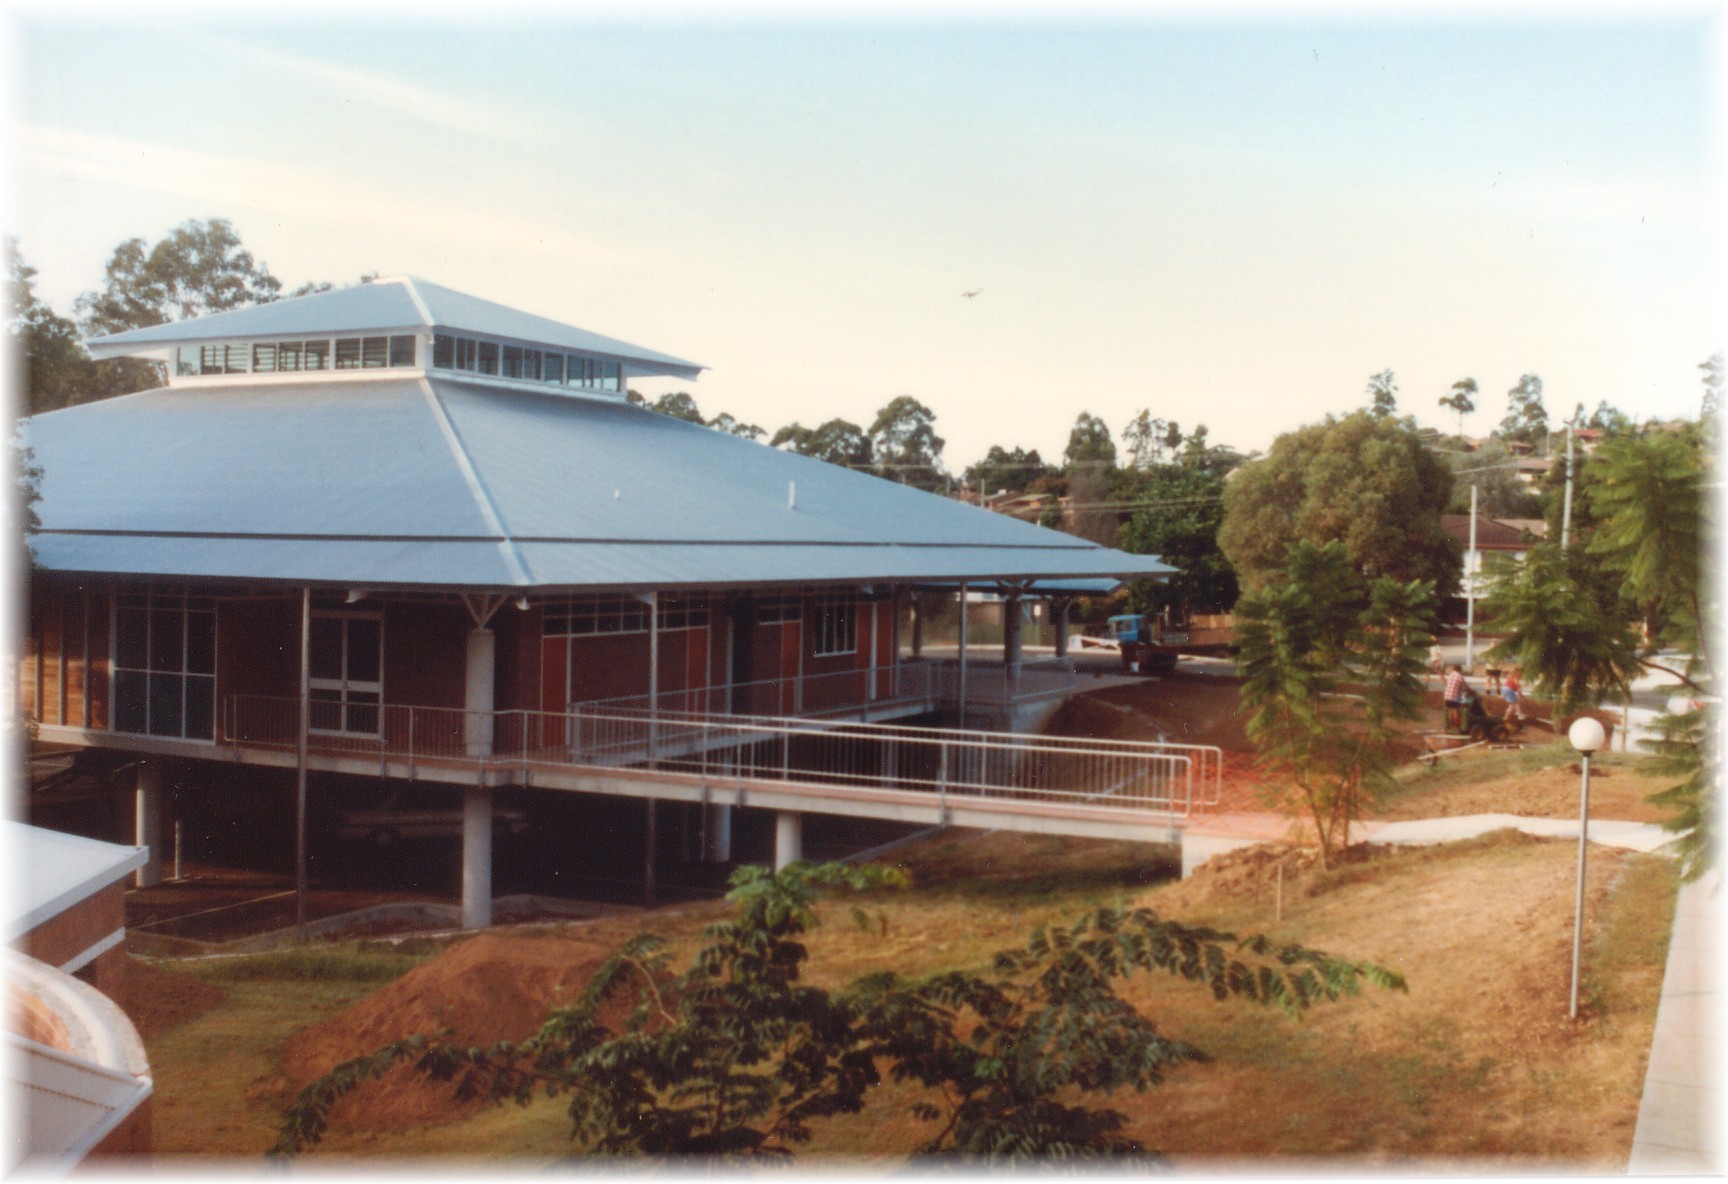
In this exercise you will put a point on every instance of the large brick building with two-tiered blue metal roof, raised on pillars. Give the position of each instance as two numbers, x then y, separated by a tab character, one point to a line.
440	523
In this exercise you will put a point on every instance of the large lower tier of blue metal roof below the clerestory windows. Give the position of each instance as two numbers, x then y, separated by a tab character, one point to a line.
436	481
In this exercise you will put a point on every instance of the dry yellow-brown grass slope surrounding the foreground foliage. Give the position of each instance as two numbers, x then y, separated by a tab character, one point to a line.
1477	1067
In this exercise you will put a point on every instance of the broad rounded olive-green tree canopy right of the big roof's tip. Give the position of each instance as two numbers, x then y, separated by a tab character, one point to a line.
1361	480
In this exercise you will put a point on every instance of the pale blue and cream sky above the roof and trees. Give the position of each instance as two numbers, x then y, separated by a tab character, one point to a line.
1229	217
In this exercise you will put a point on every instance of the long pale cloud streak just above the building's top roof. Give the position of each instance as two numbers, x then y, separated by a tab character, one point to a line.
298	196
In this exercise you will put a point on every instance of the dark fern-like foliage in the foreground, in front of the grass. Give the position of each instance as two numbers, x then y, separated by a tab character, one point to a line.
732	1062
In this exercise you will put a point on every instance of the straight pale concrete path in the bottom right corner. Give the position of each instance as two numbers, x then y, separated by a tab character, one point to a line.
1682	1109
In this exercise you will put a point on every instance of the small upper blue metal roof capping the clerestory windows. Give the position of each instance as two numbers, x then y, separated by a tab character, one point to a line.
400	305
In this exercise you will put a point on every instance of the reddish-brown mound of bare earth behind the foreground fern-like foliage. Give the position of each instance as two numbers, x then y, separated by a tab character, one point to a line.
486	990
